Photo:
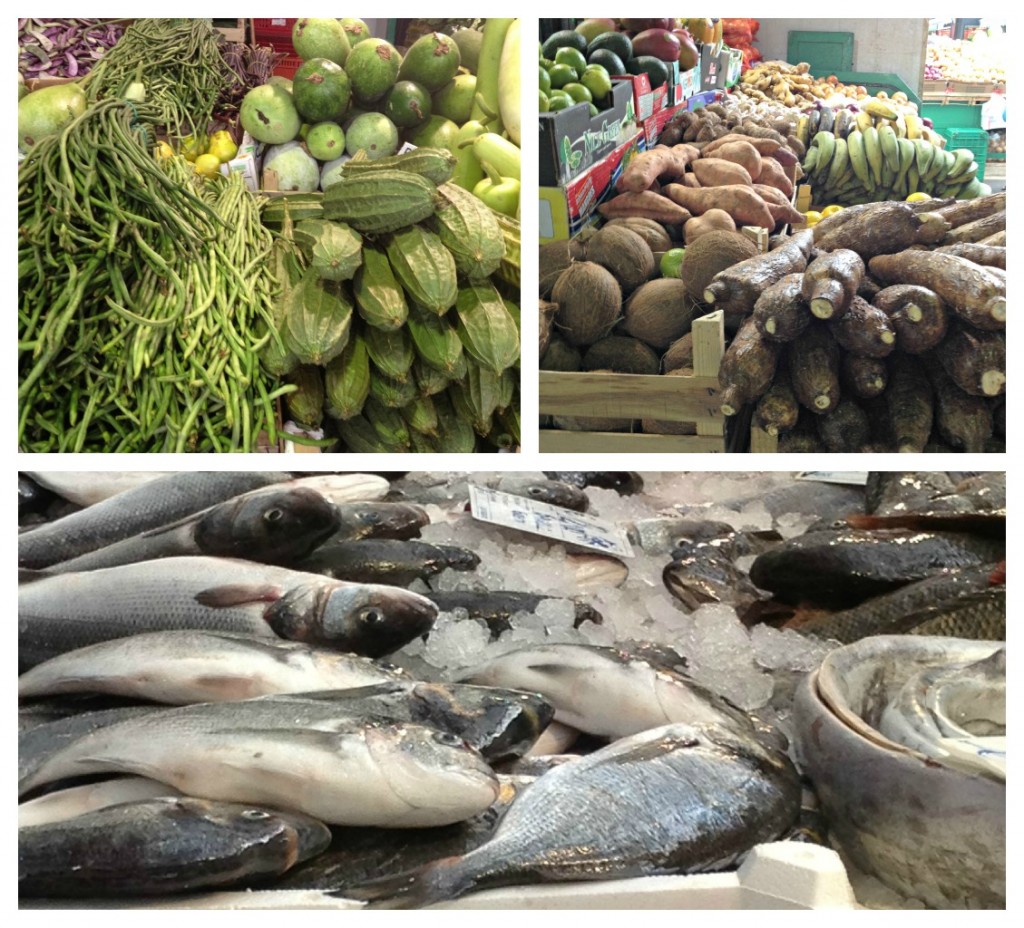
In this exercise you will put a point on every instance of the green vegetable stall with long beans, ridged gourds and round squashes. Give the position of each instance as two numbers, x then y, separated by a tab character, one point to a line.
305	235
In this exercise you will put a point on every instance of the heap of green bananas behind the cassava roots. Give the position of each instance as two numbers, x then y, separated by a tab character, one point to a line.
885	152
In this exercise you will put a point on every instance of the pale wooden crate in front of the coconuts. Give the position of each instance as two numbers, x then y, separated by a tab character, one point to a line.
642	397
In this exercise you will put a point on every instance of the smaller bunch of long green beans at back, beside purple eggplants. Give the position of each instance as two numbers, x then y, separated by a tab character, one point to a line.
181	64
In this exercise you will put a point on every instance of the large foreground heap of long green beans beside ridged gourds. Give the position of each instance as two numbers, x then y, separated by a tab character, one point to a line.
144	299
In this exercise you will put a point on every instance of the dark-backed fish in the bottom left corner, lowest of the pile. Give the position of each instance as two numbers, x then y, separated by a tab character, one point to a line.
159	847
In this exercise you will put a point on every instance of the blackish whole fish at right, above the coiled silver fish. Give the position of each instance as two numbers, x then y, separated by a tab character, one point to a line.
842	569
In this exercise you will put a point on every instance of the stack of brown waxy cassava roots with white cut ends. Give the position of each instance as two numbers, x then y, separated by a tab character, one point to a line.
880	329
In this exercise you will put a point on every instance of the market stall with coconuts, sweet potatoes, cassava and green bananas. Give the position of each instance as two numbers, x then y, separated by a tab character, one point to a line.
814	262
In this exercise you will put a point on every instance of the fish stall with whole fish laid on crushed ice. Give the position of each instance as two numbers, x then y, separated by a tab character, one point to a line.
513	690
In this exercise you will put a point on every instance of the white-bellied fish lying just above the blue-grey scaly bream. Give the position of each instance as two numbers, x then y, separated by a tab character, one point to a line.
606	692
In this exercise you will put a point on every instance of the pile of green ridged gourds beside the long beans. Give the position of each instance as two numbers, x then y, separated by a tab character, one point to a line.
429	361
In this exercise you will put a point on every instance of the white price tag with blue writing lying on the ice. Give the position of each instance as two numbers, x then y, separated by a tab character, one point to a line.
551	522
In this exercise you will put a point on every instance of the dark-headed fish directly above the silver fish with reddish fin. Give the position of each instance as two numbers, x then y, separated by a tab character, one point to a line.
275	525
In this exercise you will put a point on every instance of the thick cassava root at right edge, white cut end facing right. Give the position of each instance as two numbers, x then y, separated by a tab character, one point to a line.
973	292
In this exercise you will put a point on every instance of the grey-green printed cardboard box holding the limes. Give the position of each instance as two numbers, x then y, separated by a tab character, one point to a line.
572	141
